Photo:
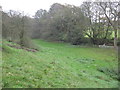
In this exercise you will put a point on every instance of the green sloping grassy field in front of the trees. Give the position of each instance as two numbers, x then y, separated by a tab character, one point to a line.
59	65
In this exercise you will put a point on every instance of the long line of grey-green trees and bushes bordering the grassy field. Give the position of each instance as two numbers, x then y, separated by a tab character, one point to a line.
91	23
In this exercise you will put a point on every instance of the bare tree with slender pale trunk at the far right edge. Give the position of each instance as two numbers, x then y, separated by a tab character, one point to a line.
112	16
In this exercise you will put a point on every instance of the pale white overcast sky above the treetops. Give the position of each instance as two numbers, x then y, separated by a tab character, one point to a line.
31	6
